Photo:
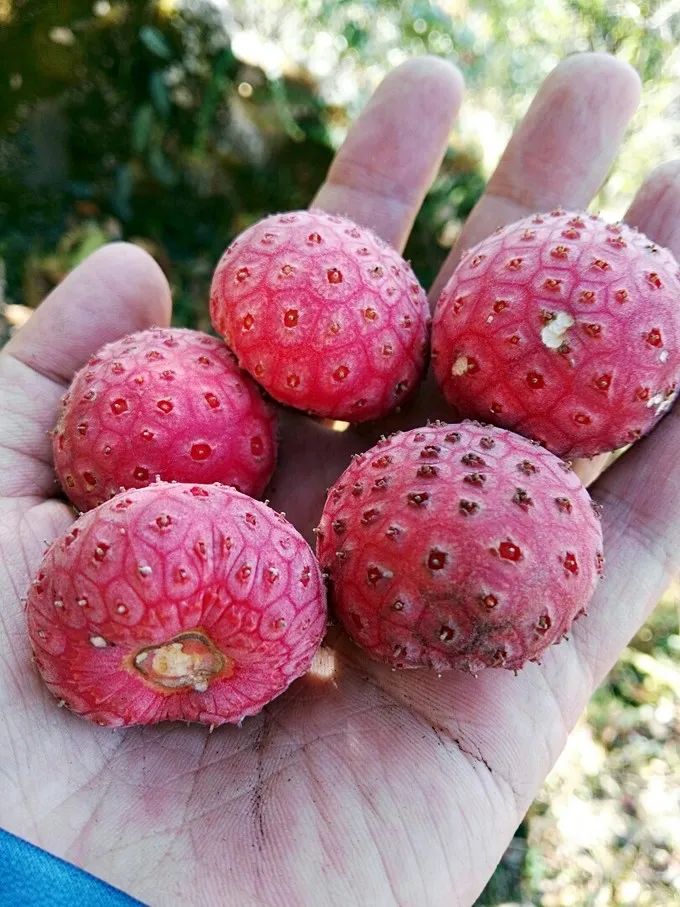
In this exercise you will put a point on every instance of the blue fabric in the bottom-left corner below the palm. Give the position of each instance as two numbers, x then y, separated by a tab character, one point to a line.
30	877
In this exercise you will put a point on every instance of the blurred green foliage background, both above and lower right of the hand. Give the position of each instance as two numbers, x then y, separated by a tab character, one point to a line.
176	123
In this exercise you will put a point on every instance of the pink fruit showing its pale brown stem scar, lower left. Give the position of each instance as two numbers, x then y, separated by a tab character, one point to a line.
175	601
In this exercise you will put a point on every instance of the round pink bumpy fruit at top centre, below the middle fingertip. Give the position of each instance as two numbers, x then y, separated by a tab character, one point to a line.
323	313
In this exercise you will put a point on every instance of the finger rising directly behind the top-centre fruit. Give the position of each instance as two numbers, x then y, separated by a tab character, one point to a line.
388	161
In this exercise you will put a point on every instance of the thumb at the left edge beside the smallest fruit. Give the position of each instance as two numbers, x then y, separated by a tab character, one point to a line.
117	290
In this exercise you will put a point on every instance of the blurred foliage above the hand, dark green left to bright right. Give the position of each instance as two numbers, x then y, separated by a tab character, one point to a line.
175	124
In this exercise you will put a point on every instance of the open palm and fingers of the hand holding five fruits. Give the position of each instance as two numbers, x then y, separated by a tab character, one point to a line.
362	784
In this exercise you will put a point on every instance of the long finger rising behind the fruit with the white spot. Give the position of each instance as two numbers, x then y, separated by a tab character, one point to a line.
561	151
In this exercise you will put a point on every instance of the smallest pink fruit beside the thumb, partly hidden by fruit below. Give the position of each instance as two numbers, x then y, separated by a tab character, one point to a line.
170	403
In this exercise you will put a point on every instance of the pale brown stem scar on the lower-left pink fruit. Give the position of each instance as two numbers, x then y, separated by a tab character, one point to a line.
187	660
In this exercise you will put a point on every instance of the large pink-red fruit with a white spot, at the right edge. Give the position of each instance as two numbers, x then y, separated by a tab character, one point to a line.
563	328
